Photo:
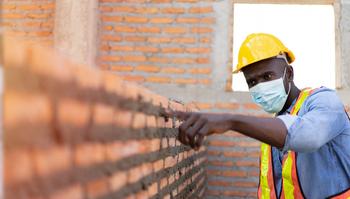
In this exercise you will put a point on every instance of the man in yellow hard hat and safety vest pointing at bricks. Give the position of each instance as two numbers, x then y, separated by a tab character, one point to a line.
307	150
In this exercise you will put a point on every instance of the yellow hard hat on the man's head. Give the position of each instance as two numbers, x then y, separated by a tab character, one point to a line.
260	46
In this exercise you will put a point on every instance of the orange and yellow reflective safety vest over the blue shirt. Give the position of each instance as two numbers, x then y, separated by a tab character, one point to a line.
291	188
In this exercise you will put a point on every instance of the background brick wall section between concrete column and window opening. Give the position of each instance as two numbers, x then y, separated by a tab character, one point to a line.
157	41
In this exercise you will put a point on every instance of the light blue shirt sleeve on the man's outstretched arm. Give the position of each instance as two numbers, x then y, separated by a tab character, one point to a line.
323	120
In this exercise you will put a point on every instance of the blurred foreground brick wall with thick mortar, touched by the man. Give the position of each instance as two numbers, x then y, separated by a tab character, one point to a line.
76	132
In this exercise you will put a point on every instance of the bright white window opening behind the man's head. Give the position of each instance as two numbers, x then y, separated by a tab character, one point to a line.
307	30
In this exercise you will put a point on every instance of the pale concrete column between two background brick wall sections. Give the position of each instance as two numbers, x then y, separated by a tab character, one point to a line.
75	33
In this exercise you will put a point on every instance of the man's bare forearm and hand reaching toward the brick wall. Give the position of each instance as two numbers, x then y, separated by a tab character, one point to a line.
198	125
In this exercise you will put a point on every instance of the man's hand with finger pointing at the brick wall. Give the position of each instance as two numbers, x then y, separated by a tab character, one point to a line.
198	125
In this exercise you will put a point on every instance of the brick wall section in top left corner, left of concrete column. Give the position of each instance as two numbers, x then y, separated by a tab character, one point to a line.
31	19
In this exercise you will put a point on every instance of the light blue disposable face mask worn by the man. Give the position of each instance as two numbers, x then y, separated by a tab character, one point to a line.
271	95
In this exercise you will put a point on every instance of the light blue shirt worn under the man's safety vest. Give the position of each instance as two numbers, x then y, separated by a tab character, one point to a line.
320	134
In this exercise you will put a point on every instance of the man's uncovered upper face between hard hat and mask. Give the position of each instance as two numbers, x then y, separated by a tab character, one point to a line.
267	70
